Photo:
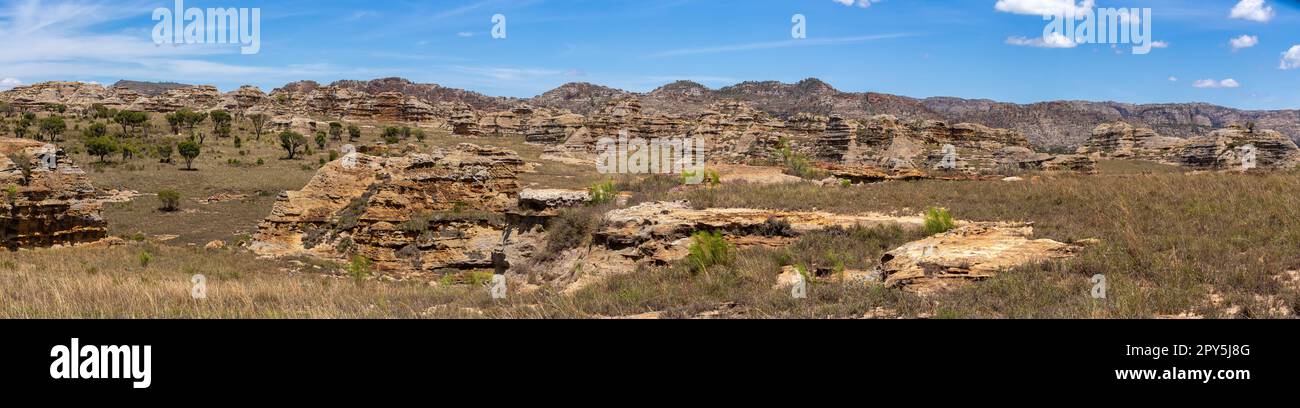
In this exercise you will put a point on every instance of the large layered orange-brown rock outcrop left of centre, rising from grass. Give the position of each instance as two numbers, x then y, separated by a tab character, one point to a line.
411	216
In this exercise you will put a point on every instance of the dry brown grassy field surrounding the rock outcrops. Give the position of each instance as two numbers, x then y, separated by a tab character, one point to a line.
1171	245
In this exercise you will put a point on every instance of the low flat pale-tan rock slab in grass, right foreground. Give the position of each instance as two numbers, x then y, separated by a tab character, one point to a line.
968	254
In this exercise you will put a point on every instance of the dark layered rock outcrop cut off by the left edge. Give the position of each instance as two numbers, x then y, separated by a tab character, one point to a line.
45	206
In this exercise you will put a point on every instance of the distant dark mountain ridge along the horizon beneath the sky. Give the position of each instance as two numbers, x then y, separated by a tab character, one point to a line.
1065	124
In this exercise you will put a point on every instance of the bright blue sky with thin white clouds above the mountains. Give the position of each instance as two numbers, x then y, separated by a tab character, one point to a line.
968	49
